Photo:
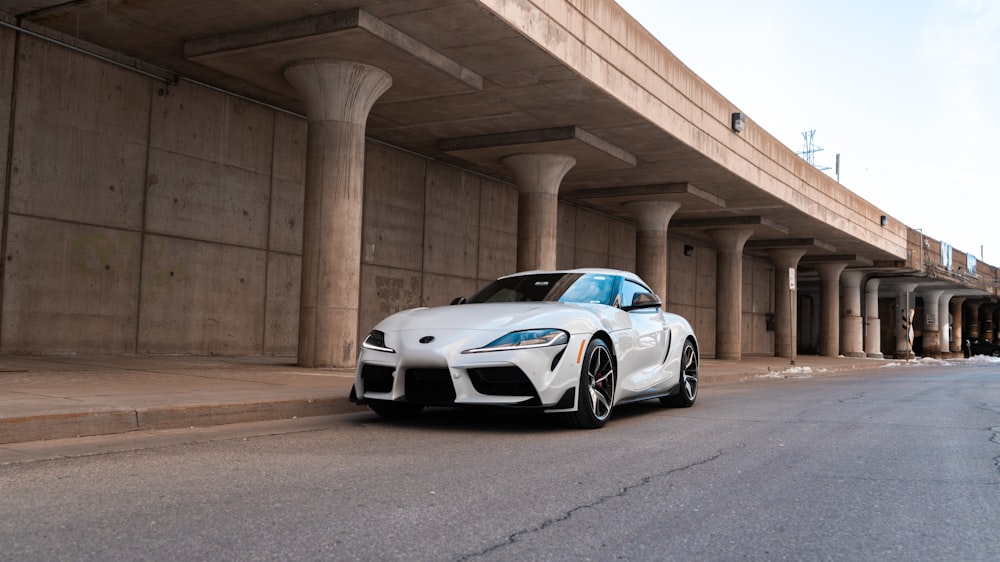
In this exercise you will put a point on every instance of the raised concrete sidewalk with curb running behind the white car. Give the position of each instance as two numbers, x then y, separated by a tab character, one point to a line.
60	396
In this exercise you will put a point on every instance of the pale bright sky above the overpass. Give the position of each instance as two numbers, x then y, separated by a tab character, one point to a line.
907	92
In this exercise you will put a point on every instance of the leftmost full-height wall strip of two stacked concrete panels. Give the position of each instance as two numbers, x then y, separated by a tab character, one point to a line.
75	210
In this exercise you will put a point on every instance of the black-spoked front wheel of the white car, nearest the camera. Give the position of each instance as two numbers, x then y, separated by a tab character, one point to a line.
596	391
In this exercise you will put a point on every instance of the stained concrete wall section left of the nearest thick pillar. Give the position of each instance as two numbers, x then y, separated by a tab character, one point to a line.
140	216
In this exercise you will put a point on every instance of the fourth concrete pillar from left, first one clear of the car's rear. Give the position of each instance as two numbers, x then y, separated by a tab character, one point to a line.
729	291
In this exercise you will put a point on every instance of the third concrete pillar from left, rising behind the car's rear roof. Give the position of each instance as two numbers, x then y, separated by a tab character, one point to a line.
651	250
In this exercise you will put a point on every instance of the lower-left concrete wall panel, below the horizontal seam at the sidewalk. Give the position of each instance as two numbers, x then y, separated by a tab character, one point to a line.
69	287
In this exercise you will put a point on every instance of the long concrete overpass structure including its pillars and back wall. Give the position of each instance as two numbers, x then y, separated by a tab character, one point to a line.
582	140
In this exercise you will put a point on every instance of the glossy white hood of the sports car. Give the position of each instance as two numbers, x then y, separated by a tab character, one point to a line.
504	317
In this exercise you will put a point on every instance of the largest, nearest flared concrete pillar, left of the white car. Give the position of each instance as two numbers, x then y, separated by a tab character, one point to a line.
338	97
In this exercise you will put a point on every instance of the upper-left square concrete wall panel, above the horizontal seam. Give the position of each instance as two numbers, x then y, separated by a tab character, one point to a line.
79	145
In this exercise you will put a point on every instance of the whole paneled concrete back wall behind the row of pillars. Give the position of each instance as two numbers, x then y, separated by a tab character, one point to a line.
145	218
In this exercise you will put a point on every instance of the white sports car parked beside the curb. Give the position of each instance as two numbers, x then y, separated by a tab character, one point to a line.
574	342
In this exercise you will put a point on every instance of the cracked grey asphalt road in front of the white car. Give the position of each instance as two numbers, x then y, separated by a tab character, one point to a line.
892	464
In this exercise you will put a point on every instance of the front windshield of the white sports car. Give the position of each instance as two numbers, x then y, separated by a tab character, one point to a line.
591	288
